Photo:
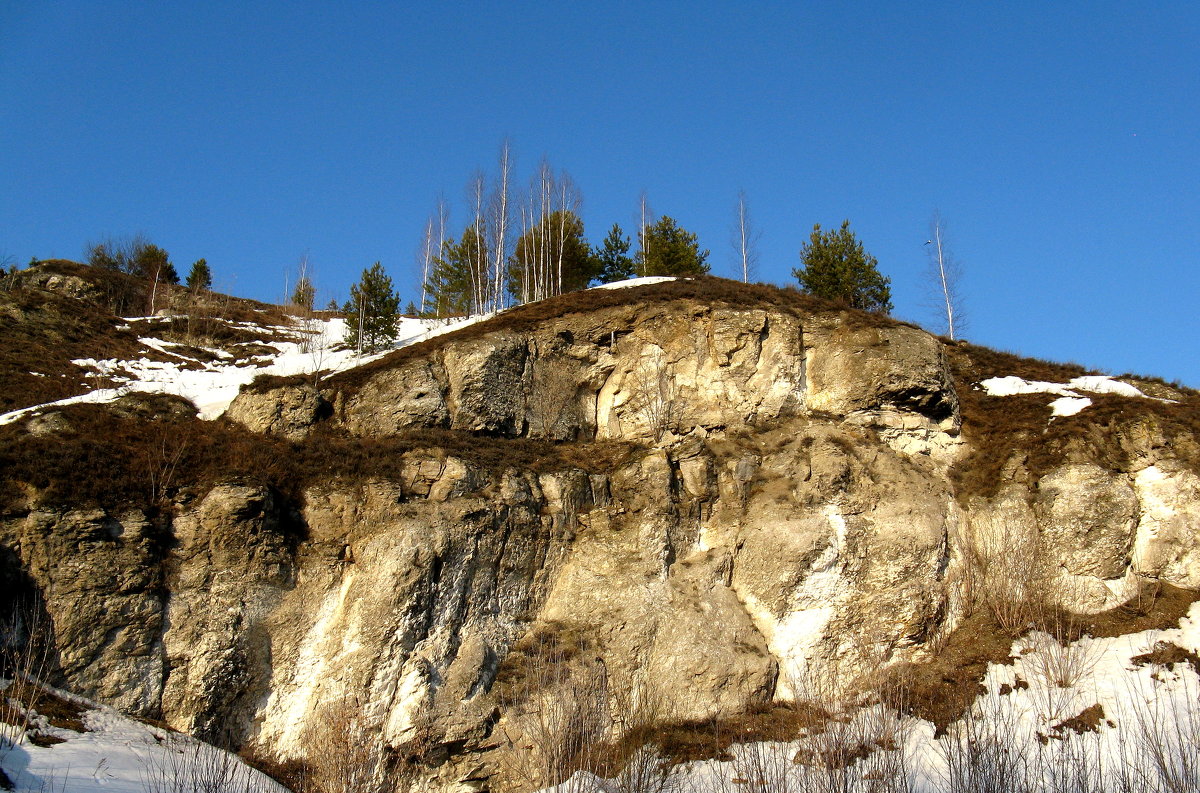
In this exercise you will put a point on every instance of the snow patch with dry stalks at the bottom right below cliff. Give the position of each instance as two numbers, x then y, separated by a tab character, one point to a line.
1083	718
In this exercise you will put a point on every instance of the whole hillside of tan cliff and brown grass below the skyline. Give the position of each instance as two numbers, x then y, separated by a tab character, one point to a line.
717	491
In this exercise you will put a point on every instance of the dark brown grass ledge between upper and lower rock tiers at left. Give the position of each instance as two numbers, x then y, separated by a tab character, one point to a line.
129	454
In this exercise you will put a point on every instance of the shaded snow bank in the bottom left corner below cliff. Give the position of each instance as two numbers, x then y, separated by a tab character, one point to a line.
118	755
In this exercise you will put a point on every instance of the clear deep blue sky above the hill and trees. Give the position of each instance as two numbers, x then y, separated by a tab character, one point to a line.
1060	141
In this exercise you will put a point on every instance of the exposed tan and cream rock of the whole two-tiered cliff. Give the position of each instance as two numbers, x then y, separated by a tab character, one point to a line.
791	506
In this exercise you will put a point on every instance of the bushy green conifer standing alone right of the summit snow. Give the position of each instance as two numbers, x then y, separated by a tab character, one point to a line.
836	267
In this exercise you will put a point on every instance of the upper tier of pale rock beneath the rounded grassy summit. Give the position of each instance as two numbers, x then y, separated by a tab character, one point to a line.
665	371
